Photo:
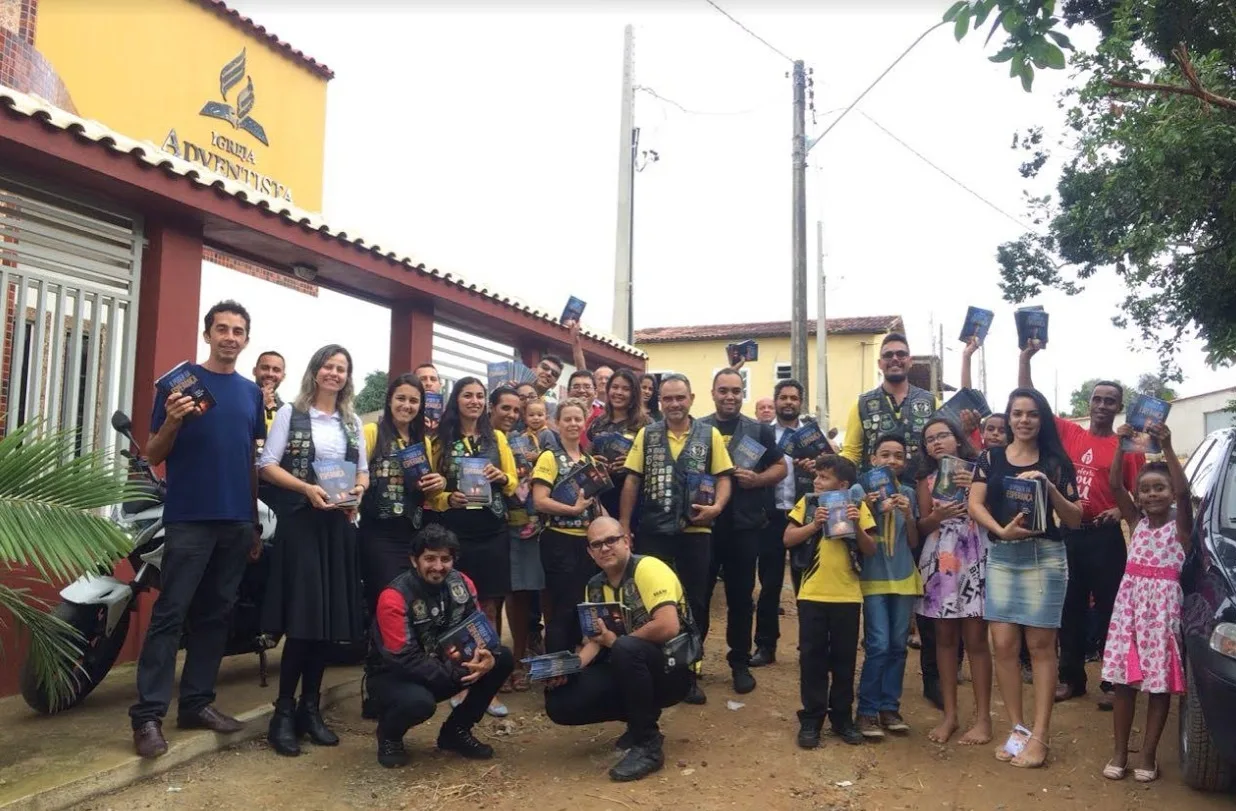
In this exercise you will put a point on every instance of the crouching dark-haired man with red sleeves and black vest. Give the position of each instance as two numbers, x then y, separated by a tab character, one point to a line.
408	673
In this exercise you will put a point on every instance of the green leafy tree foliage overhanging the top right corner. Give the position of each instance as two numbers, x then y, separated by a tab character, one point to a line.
1148	185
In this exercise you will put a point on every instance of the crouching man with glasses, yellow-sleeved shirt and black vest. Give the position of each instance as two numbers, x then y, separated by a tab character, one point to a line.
635	677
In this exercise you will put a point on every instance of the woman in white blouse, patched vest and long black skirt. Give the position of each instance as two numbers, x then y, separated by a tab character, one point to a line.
313	597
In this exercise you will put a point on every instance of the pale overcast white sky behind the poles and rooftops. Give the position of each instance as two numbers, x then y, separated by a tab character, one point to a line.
484	138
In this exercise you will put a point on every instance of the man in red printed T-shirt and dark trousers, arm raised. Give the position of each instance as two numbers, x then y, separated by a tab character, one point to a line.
1096	551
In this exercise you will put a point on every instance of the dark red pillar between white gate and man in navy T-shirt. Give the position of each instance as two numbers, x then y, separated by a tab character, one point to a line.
169	331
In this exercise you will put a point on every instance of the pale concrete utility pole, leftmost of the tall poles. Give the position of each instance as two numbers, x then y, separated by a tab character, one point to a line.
625	234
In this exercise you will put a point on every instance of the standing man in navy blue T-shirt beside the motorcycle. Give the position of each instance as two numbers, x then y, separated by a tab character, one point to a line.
211	524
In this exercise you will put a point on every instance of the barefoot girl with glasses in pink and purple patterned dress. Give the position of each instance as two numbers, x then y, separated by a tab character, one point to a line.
954	568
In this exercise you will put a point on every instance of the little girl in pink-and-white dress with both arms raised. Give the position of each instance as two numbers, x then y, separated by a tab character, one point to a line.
1144	639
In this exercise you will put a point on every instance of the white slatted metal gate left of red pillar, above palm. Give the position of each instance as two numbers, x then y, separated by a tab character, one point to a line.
70	274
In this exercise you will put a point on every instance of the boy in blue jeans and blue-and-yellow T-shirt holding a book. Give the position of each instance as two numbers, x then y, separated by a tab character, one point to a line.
891	585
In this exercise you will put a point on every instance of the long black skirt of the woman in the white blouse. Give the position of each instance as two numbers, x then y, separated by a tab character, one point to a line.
315	592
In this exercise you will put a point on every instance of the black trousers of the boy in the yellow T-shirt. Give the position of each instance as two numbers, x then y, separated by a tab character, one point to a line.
828	658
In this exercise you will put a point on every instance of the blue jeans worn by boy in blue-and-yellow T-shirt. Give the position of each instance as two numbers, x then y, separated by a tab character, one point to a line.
886	631
